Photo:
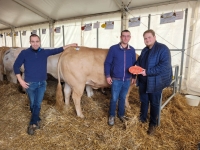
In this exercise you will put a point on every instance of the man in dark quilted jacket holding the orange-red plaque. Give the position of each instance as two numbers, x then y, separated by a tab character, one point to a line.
155	58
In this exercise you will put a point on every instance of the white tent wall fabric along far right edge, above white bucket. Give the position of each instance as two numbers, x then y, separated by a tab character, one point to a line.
192	80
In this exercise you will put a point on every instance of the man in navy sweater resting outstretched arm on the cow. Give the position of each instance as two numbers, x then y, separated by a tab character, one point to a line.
35	65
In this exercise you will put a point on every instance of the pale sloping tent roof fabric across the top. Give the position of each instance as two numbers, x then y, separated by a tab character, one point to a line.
17	13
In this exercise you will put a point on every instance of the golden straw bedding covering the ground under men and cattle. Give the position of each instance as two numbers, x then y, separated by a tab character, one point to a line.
180	124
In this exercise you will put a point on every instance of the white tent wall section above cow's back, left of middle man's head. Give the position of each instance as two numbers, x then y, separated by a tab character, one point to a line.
107	37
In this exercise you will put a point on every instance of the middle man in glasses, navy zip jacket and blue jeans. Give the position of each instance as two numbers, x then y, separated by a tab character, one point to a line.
116	67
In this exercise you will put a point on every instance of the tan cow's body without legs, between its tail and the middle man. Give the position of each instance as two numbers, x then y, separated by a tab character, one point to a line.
84	66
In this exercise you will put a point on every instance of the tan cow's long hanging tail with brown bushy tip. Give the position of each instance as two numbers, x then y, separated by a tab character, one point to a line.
59	93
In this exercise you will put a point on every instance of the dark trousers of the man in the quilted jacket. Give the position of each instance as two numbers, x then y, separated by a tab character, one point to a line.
154	100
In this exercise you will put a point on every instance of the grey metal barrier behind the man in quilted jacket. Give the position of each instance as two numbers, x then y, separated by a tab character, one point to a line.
175	85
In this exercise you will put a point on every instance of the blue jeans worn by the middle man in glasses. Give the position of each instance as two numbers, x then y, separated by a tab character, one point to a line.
119	90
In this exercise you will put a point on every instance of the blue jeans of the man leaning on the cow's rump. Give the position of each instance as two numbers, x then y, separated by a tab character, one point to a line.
36	93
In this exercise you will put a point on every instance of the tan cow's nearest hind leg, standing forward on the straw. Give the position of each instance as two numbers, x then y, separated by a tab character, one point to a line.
76	96
